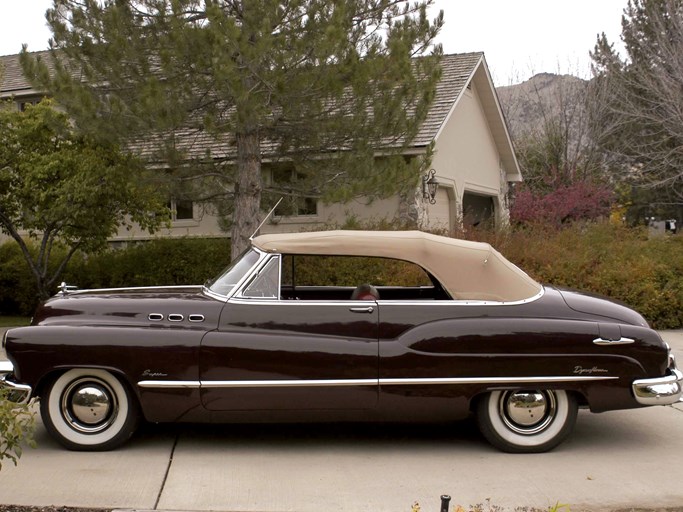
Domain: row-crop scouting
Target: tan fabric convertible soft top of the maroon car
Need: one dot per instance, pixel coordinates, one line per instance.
(467, 270)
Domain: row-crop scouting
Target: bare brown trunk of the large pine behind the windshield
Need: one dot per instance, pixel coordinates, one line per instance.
(248, 186)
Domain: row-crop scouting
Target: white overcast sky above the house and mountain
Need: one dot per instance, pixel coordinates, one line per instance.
(519, 37)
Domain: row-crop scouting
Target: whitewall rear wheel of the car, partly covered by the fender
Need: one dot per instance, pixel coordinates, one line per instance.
(526, 421)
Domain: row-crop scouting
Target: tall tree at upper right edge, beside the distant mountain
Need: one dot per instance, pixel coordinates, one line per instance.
(637, 99)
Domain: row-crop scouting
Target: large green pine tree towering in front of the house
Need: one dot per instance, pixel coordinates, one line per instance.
(214, 88)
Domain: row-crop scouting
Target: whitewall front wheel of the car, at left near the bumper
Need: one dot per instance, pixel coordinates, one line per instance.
(89, 410)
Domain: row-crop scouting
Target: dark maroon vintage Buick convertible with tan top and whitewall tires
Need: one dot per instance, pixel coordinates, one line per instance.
(334, 326)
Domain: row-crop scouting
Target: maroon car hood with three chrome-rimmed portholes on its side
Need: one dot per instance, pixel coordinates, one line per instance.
(132, 306)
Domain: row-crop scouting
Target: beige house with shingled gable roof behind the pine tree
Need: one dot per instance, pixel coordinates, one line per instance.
(474, 162)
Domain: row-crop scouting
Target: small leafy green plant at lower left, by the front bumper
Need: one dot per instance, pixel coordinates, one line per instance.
(17, 422)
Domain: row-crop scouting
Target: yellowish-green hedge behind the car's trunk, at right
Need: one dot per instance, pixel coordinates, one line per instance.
(616, 261)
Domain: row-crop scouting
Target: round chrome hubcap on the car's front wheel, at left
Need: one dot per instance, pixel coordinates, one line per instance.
(89, 405)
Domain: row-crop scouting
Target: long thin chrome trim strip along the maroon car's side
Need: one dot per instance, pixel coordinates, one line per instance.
(214, 384)
